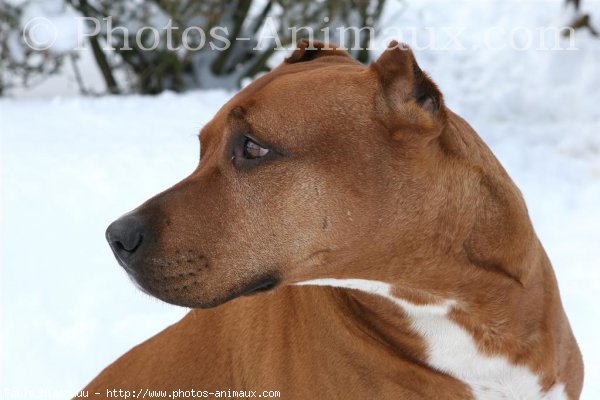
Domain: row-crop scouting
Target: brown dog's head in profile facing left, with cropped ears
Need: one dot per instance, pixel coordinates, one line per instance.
(321, 167)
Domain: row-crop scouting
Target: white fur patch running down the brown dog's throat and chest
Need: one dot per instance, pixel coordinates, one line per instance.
(452, 350)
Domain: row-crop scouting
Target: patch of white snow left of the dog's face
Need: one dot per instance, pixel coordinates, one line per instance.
(70, 167)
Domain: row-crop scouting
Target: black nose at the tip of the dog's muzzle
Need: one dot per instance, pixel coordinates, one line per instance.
(125, 236)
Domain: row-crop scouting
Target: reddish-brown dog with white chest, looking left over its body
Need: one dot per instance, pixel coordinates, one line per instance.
(398, 256)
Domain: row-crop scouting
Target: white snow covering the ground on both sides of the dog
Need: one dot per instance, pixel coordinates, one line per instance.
(69, 166)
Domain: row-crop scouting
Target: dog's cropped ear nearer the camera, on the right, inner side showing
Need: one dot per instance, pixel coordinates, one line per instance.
(403, 80)
